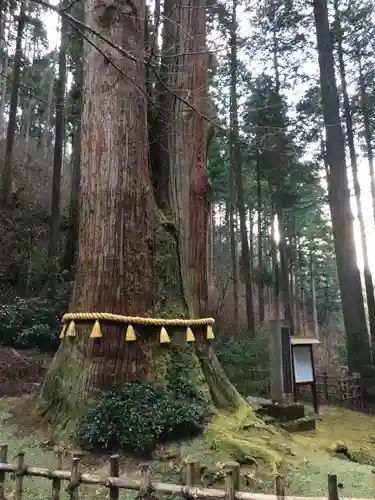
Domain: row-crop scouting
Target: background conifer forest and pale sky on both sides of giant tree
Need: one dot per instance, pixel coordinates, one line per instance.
(271, 246)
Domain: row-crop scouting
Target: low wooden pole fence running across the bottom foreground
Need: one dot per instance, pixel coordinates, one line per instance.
(144, 487)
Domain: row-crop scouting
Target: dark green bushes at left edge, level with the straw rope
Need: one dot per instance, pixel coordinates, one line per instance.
(31, 323)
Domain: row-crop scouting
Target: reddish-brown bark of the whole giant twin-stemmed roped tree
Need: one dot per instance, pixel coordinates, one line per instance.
(134, 257)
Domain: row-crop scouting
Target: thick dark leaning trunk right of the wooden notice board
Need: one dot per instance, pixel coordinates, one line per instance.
(358, 348)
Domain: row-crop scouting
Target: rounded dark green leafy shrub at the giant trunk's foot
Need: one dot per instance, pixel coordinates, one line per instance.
(137, 415)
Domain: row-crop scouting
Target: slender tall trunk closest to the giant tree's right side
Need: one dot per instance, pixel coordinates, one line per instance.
(236, 165)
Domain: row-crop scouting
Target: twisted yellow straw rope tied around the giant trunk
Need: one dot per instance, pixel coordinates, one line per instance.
(137, 320)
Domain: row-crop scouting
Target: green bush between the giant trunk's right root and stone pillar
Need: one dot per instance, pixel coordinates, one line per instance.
(246, 362)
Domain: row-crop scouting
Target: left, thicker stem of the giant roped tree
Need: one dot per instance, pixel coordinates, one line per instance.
(114, 265)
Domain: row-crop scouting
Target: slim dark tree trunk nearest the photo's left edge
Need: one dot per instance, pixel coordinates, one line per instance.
(7, 177)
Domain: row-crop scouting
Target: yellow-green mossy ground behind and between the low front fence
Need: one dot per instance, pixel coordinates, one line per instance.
(305, 459)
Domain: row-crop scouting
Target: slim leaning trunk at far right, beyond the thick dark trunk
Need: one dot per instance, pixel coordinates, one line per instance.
(369, 286)
